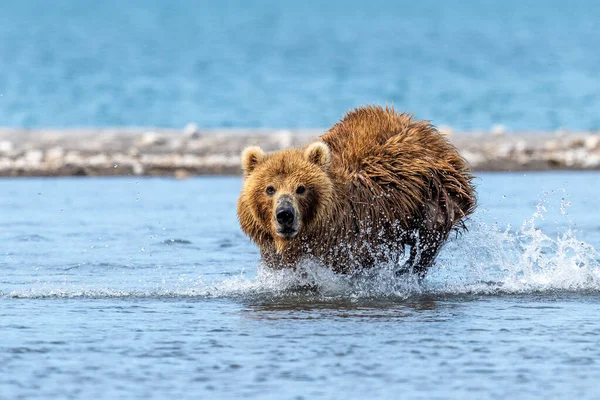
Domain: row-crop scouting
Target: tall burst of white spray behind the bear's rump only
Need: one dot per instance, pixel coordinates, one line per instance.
(528, 260)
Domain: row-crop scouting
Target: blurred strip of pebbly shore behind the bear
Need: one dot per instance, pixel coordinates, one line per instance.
(188, 152)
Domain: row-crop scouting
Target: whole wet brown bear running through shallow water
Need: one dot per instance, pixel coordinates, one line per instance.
(355, 197)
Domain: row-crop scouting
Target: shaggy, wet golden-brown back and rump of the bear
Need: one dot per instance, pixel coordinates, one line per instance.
(392, 165)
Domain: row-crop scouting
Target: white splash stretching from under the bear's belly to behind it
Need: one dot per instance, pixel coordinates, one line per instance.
(487, 259)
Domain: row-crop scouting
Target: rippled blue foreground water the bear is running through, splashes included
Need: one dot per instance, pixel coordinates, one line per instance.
(147, 289)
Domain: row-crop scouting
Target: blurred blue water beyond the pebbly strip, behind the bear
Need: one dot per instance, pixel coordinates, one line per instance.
(529, 65)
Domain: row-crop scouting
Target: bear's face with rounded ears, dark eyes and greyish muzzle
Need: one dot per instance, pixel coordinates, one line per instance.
(285, 192)
